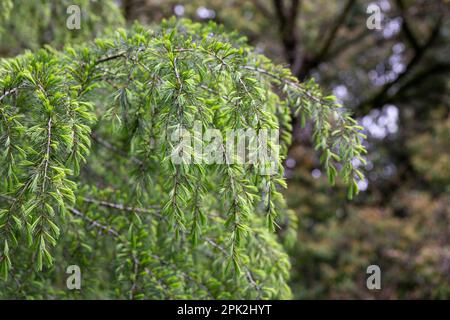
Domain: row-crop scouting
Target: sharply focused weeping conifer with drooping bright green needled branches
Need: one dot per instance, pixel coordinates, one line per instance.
(87, 176)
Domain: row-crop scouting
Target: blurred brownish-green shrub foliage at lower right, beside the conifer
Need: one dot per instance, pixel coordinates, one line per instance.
(407, 238)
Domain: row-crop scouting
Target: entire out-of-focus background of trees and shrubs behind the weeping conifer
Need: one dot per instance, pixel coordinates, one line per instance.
(395, 79)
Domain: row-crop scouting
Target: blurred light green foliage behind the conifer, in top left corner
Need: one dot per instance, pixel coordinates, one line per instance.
(31, 24)
